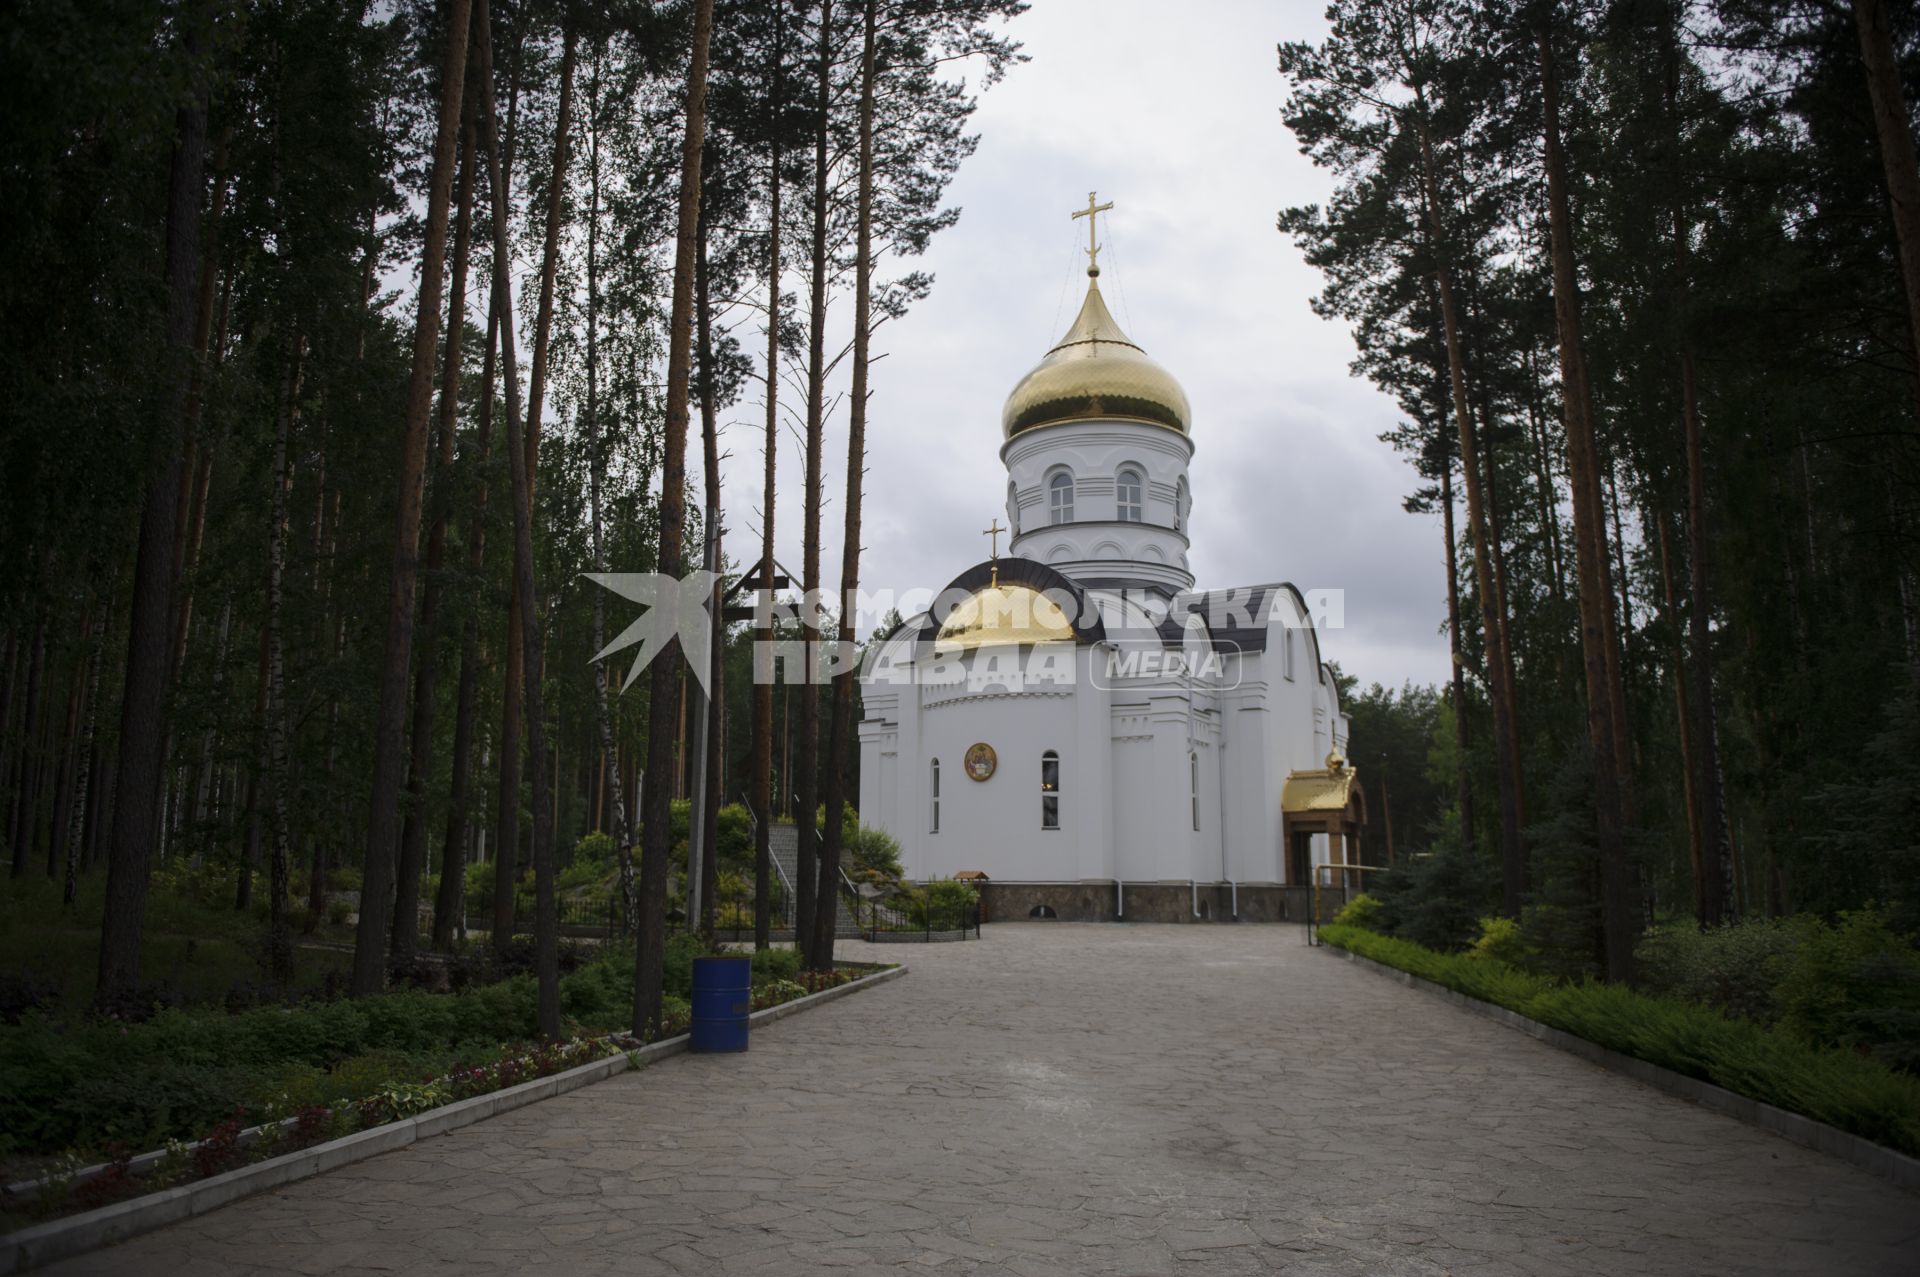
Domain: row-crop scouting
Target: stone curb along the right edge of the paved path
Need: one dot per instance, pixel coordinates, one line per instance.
(1806, 1132)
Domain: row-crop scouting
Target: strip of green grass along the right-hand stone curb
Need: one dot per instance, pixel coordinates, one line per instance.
(1846, 1090)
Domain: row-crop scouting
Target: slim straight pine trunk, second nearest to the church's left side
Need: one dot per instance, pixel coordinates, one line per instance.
(807, 761)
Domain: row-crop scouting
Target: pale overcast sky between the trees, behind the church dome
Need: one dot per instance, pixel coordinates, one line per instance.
(1172, 112)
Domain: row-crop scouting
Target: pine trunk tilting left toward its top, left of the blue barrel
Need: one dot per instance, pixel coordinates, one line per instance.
(546, 930)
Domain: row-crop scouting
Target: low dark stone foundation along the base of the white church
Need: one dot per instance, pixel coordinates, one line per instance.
(1151, 902)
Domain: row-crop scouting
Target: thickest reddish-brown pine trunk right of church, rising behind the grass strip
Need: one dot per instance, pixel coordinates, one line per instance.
(1591, 552)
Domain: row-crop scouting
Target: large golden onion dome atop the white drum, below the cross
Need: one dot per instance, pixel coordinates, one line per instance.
(1095, 373)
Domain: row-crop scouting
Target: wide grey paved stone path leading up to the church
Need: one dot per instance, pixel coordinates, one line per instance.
(1088, 1099)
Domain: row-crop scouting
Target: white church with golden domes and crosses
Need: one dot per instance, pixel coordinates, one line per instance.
(1076, 725)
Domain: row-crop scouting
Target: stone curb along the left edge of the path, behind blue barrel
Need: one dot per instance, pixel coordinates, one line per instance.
(59, 1240)
